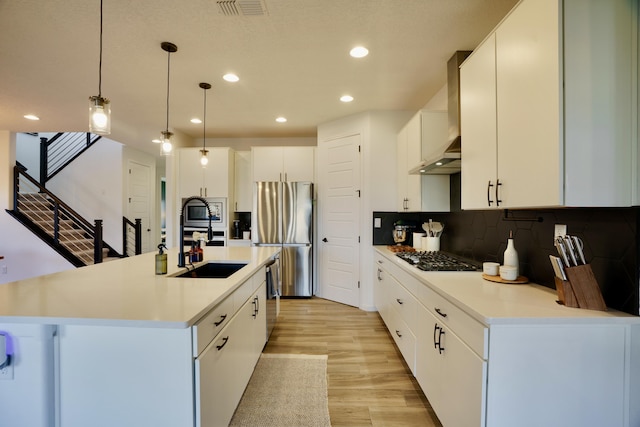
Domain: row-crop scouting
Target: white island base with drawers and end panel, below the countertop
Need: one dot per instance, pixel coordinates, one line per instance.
(163, 376)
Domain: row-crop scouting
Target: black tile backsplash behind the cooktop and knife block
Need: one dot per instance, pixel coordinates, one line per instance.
(610, 238)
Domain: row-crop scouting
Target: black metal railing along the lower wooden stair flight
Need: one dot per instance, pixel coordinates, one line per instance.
(27, 189)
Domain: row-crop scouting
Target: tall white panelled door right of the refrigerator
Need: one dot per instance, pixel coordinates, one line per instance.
(339, 228)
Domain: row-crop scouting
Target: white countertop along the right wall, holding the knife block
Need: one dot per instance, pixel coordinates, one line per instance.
(498, 303)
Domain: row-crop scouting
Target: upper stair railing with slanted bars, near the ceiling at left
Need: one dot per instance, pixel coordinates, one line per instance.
(60, 150)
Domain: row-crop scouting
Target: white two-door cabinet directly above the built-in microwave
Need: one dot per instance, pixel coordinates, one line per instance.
(216, 180)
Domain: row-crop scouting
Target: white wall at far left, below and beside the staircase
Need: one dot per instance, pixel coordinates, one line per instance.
(24, 254)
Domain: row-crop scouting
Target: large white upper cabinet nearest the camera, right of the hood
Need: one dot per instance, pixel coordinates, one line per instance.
(546, 108)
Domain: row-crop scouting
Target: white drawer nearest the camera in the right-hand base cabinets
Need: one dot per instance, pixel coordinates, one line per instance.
(472, 332)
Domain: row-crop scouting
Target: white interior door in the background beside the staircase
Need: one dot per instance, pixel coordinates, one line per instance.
(139, 205)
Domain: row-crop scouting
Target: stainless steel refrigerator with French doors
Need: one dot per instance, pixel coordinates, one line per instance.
(283, 216)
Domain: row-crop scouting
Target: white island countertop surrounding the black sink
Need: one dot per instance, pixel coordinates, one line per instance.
(127, 292)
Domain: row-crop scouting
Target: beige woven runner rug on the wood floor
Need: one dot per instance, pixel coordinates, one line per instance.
(285, 390)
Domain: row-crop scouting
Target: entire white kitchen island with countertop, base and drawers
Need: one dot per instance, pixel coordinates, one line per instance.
(115, 344)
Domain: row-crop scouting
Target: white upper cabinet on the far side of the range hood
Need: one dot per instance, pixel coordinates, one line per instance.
(419, 193)
